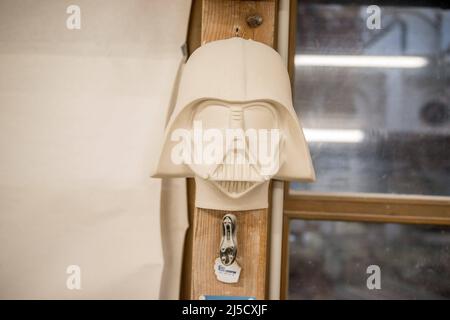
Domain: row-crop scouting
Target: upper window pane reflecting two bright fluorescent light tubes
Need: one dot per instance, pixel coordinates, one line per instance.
(382, 128)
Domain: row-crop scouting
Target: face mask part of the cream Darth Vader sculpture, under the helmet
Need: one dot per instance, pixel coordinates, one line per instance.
(239, 145)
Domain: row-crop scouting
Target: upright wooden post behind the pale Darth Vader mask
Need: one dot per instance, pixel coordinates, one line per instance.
(222, 19)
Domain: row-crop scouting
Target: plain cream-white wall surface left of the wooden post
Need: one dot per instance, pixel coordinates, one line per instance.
(82, 114)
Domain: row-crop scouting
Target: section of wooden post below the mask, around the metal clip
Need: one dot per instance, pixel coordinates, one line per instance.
(252, 249)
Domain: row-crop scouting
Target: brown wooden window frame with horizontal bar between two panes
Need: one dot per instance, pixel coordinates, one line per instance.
(351, 207)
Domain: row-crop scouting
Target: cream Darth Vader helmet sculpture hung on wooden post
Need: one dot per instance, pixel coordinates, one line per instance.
(234, 127)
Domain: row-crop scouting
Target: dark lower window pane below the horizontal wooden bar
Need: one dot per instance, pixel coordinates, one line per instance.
(329, 260)
